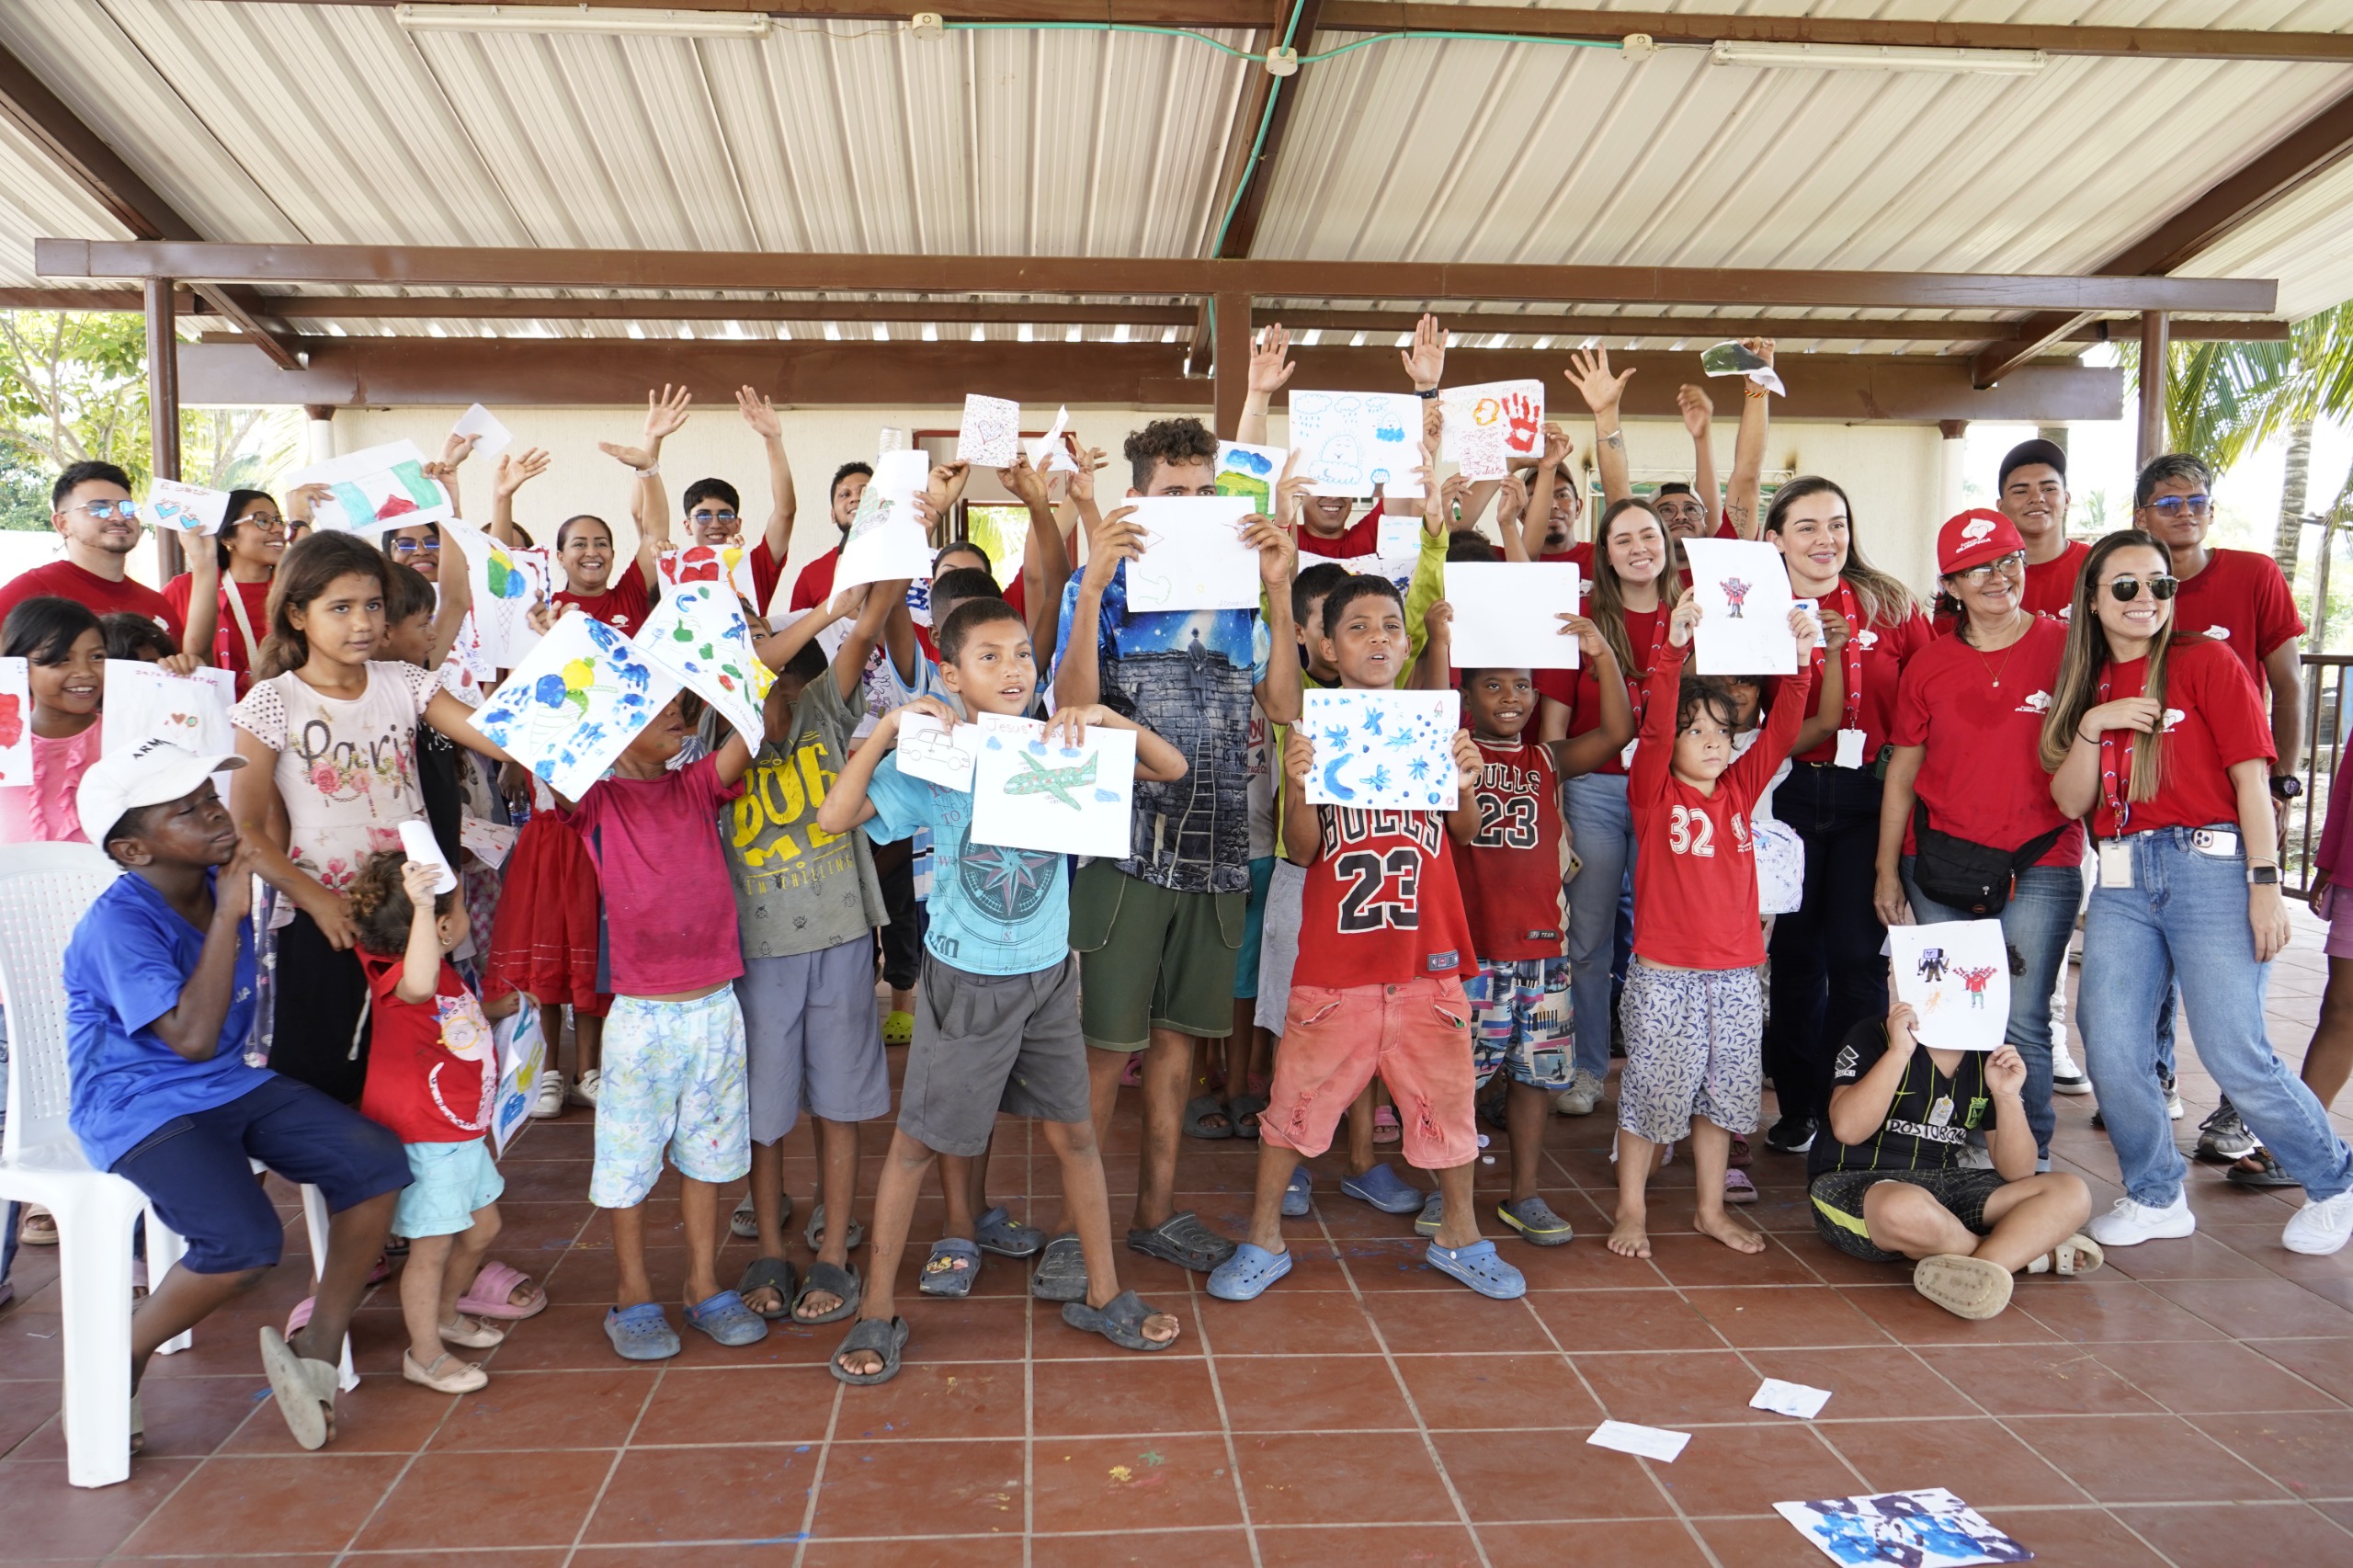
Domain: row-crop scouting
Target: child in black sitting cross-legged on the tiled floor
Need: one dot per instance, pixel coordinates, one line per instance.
(1891, 1181)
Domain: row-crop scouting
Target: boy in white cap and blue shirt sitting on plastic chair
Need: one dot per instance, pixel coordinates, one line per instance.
(159, 1004)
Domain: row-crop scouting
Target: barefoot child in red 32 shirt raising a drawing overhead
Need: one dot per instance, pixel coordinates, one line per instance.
(1695, 1002)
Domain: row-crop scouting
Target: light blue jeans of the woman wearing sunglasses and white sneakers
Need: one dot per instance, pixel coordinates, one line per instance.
(2185, 919)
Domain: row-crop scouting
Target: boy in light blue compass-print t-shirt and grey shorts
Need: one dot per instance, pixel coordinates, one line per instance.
(996, 1014)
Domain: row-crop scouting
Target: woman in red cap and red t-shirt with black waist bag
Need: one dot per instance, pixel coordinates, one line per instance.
(1966, 755)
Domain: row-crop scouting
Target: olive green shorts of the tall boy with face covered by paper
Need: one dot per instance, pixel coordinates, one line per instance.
(1152, 959)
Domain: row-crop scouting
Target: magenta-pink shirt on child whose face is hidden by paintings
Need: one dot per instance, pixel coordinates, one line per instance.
(669, 903)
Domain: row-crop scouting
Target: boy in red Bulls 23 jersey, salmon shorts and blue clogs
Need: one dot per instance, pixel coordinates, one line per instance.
(1380, 981)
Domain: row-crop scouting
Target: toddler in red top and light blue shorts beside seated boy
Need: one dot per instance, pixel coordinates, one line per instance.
(432, 1079)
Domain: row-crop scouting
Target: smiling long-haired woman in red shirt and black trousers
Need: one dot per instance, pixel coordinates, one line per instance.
(1827, 969)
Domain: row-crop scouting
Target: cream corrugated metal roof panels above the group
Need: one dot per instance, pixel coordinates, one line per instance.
(335, 126)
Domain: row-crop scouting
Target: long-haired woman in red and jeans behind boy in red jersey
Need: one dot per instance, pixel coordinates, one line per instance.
(1634, 594)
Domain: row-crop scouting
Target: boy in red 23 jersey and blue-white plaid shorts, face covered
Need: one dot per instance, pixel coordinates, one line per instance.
(1512, 858)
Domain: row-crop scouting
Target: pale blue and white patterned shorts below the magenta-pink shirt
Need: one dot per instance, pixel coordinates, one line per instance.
(674, 1082)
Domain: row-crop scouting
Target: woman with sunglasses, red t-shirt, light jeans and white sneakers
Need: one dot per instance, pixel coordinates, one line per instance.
(2166, 750)
